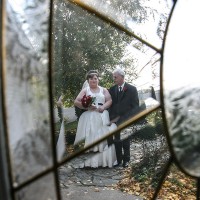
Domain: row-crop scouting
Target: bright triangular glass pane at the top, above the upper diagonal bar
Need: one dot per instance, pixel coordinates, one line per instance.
(145, 18)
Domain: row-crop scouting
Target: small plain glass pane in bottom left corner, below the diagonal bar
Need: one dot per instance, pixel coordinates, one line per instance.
(43, 189)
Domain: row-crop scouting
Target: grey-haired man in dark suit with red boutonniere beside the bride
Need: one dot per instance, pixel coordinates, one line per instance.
(125, 102)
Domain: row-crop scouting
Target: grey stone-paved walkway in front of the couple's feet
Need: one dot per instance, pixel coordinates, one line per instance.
(90, 184)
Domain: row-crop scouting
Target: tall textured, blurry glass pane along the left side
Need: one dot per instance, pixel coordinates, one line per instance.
(27, 100)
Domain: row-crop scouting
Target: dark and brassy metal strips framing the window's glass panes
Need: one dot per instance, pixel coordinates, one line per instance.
(7, 190)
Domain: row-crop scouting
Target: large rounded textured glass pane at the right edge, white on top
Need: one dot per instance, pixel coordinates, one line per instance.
(182, 85)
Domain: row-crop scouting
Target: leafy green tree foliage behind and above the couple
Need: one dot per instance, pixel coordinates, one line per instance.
(83, 42)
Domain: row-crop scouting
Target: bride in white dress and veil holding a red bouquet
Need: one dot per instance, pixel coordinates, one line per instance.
(93, 123)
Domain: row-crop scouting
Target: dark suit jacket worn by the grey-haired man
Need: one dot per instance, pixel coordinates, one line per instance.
(125, 106)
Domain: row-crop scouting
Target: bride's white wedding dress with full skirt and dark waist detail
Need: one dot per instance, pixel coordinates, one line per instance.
(91, 127)
